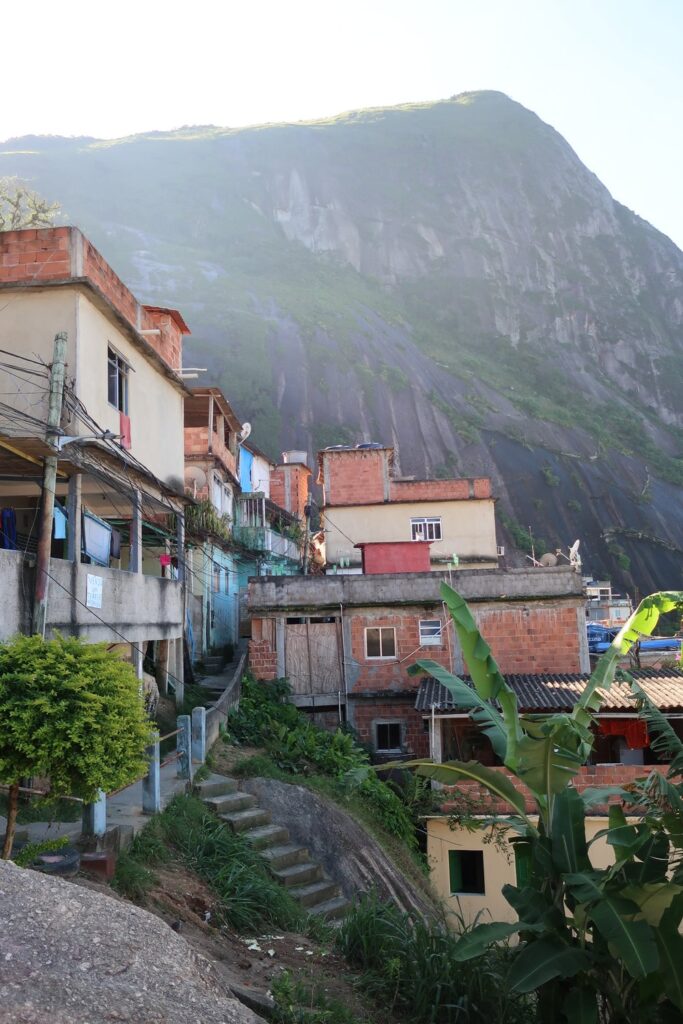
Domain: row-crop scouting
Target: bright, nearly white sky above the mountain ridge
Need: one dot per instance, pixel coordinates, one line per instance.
(607, 74)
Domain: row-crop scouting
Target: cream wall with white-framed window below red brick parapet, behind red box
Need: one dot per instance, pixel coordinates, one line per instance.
(468, 528)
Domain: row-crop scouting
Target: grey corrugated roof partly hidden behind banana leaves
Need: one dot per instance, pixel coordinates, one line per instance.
(550, 693)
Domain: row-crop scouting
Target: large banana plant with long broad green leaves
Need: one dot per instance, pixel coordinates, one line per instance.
(596, 945)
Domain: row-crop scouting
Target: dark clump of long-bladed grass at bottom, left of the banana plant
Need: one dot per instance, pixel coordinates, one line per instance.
(413, 968)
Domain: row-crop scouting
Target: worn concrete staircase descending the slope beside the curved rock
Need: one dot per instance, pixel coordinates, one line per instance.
(288, 863)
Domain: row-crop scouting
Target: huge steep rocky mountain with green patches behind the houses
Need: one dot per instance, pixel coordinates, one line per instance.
(446, 278)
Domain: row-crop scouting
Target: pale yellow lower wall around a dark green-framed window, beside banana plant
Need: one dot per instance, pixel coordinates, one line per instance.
(498, 872)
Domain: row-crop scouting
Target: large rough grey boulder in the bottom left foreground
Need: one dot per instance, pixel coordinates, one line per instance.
(74, 956)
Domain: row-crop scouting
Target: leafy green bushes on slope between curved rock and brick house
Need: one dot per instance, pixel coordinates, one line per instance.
(297, 747)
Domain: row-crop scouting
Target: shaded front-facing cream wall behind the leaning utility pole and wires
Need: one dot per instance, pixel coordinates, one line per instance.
(29, 322)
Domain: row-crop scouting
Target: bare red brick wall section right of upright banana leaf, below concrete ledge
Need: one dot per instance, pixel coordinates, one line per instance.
(531, 638)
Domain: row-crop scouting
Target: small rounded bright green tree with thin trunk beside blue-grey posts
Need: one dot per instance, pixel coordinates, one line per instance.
(71, 711)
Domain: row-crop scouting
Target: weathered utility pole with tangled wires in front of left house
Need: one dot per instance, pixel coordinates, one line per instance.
(58, 374)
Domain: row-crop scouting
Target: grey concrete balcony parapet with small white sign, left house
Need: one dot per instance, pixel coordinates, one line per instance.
(91, 602)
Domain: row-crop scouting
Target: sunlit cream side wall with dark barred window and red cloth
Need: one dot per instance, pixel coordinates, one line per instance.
(155, 406)
